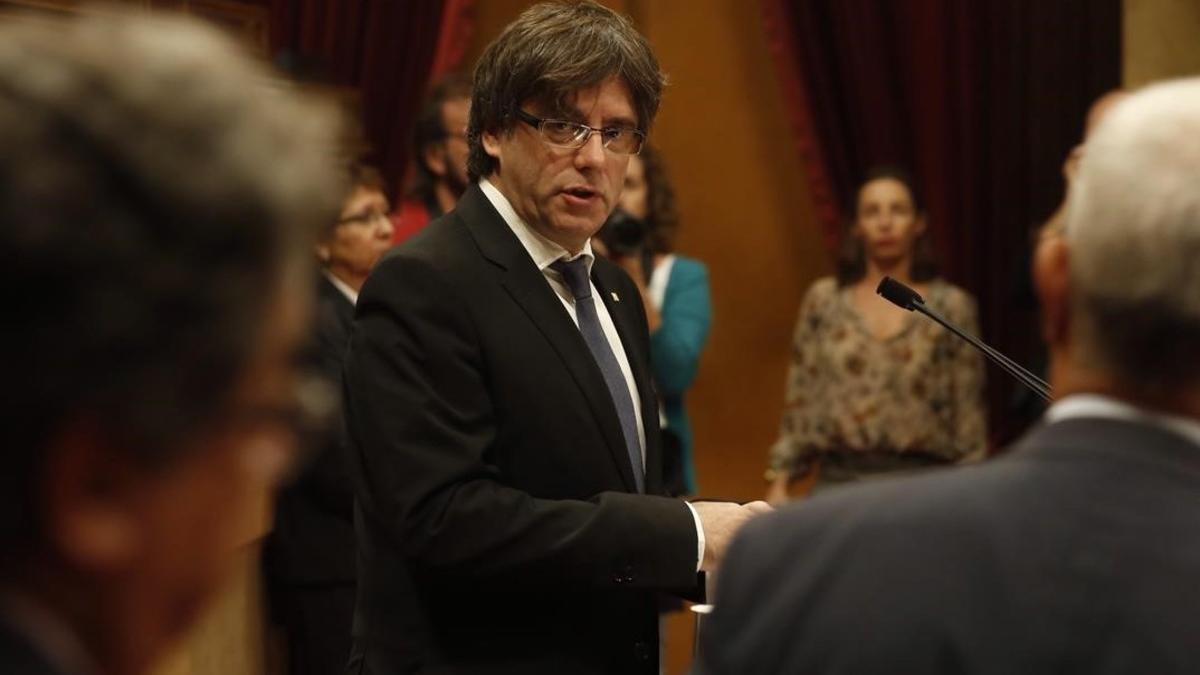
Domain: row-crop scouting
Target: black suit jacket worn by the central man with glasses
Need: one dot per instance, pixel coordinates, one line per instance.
(496, 528)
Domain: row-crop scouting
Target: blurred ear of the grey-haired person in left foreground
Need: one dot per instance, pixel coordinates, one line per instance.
(89, 500)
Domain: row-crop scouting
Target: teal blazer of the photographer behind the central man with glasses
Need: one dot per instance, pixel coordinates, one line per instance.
(676, 348)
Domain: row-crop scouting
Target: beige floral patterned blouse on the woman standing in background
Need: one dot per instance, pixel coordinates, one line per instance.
(848, 391)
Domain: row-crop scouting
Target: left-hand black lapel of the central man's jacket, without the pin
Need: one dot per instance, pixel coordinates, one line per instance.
(529, 289)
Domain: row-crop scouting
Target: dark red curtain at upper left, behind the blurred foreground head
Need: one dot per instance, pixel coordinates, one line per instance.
(387, 51)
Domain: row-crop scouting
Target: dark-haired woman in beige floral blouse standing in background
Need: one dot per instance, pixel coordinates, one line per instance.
(873, 389)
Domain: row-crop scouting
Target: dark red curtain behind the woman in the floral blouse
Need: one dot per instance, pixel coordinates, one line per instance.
(981, 99)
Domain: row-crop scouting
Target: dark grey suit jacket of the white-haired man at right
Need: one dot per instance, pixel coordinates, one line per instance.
(1077, 553)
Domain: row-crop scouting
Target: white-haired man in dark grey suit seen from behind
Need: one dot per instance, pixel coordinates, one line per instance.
(1079, 551)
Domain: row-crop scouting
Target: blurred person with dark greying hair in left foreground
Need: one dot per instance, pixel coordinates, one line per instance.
(157, 213)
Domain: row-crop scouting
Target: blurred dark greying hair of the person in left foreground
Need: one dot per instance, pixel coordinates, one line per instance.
(154, 192)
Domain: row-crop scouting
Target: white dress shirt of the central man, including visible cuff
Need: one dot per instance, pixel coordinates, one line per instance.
(545, 253)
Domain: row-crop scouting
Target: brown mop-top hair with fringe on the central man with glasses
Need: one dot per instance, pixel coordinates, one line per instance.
(548, 55)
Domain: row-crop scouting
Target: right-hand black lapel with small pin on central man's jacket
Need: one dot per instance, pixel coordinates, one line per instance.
(622, 310)
